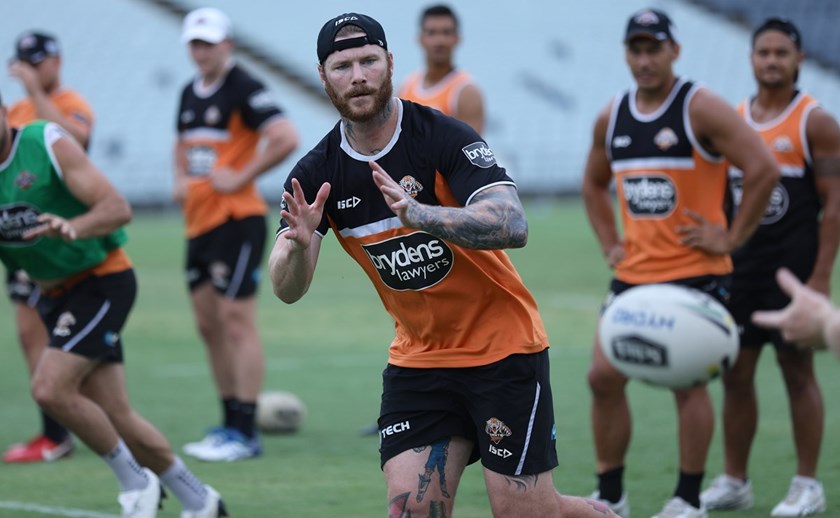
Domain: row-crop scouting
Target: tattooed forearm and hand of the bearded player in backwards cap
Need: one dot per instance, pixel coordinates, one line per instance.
(493, 220)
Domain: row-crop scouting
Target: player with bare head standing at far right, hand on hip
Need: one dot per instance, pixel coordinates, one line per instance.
(800, 231)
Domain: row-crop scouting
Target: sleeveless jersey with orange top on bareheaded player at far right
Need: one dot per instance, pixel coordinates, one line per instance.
(789, 231)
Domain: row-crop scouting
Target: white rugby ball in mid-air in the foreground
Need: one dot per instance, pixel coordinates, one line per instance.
(668, 335)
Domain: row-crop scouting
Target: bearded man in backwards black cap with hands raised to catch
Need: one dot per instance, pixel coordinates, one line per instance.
(468, 371)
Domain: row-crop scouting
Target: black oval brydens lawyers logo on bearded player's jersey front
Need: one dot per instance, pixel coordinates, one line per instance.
(412, 262)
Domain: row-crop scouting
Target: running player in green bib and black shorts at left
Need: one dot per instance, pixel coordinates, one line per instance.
(62, 225)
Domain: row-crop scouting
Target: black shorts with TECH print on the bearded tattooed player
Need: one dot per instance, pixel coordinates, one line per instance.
(505, 408)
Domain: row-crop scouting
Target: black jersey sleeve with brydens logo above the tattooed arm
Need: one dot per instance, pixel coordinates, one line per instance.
(465, 160)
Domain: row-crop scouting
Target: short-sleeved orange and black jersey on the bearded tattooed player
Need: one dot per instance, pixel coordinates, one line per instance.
(453, 307)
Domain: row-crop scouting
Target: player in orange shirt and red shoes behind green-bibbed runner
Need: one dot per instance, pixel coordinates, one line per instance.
(37, 66)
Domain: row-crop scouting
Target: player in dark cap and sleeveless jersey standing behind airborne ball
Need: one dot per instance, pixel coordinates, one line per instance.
(665, 142)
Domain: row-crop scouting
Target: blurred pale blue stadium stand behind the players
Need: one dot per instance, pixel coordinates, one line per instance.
(545, 67)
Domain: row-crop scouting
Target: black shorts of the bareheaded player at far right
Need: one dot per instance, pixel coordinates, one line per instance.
(745, 300)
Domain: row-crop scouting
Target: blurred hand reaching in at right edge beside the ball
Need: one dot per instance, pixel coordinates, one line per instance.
(803, 320)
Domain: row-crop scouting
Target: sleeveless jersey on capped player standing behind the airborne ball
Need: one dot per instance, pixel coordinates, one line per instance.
(661, 169)
